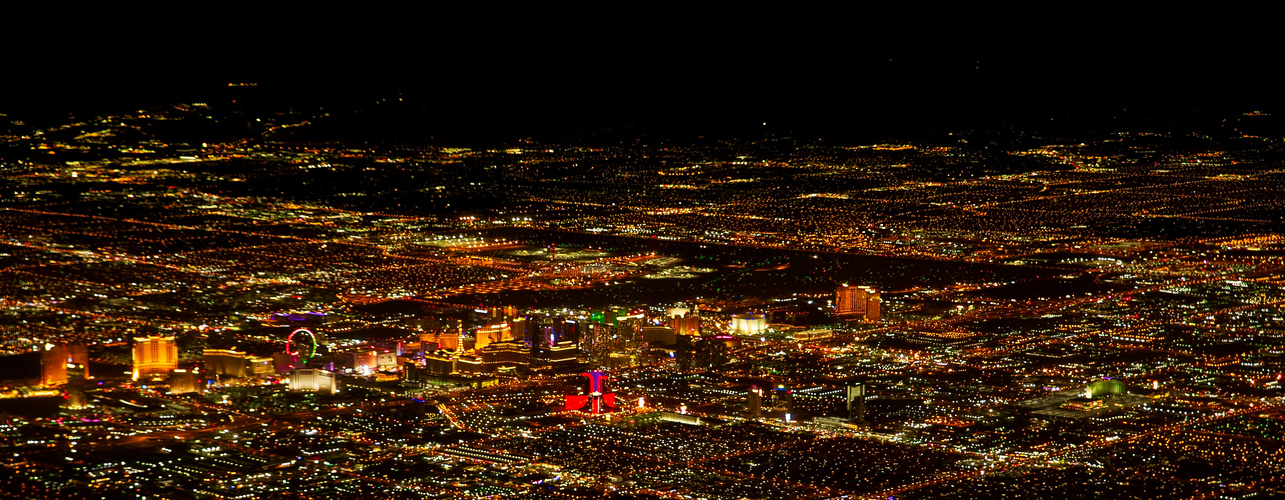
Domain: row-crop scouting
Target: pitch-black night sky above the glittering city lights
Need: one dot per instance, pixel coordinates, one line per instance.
(811, 75)
